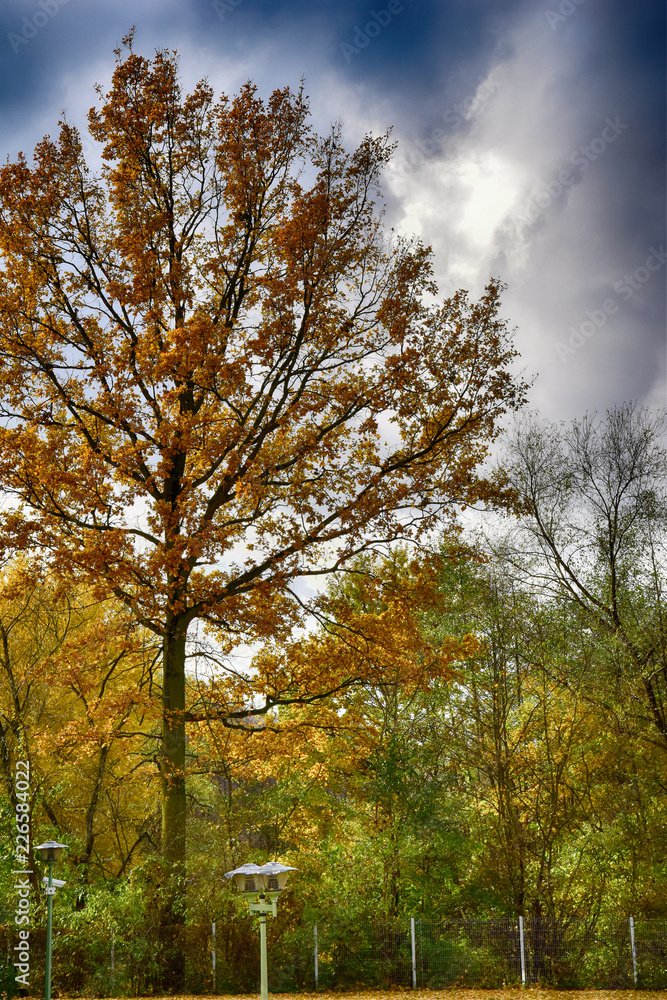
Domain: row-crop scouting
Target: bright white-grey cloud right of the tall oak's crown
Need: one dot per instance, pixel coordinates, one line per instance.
(508, 191)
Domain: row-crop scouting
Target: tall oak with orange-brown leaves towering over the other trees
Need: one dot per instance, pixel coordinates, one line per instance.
(220, 374)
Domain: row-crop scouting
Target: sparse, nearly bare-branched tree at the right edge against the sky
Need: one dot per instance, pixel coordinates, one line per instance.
(594, 536)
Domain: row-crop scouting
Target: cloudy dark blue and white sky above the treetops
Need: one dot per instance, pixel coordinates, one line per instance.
(531, 143)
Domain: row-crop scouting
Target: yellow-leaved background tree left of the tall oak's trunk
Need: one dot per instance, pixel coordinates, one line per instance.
(74, 703)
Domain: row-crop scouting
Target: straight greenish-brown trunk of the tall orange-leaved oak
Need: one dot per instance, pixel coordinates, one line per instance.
(172, 769)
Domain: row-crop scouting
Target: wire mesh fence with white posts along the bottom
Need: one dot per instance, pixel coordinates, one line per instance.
(223, 957)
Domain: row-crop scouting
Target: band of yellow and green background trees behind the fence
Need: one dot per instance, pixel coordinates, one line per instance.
(461, 778)
